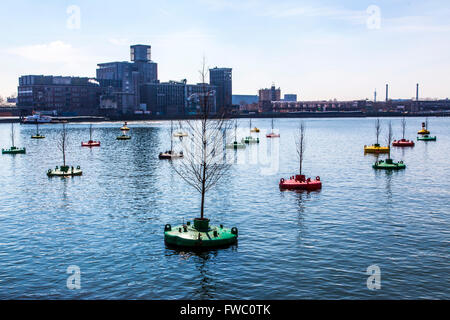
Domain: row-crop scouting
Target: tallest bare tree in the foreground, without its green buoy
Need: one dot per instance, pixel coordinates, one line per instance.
(203, 165)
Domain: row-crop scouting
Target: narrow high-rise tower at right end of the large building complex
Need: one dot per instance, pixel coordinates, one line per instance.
(221, 78)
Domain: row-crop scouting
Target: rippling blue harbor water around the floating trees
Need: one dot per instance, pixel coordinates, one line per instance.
(109, 222)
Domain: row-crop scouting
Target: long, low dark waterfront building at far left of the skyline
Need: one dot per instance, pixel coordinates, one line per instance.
(61, 95)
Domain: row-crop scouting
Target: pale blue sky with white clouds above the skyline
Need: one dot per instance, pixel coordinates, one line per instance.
(319, 50)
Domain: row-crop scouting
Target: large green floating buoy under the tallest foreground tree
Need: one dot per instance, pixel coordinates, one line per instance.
(200, 235)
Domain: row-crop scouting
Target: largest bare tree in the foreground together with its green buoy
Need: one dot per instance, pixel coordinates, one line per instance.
(202, 168)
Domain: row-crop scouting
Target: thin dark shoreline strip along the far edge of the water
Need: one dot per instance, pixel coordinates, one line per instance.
(303, 115)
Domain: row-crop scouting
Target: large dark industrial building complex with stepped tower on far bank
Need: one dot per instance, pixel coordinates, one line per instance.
(124, 87)
